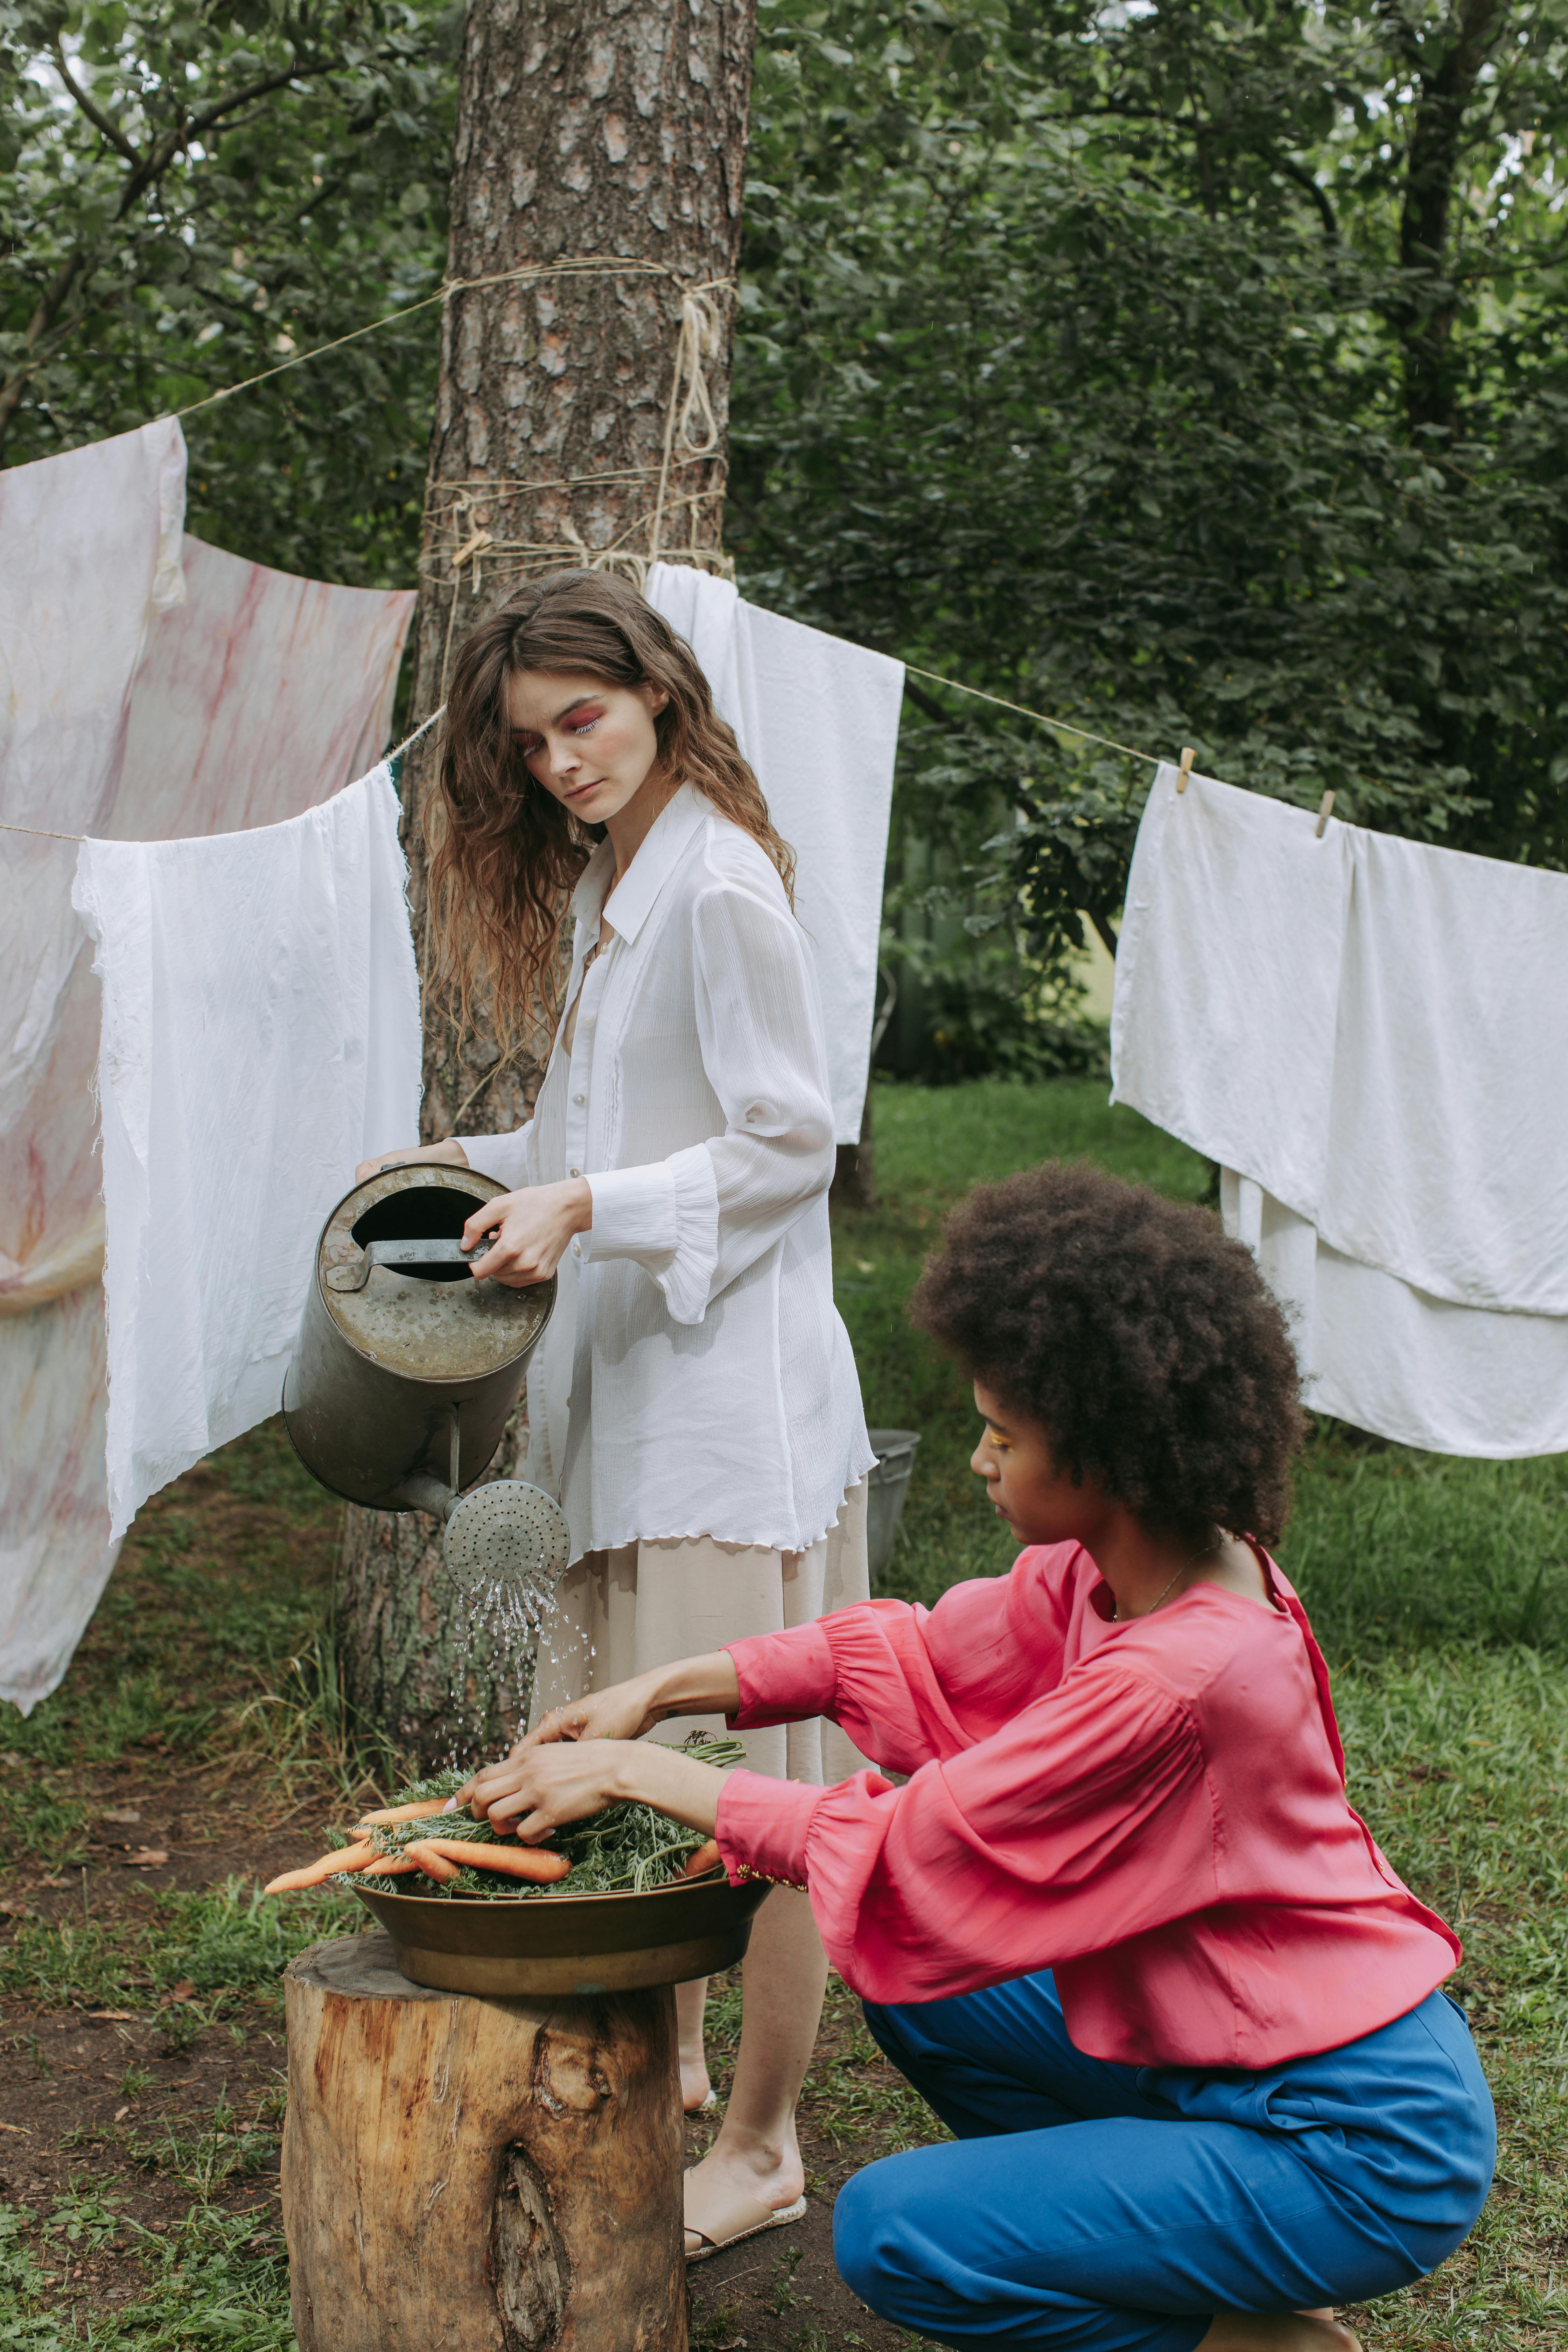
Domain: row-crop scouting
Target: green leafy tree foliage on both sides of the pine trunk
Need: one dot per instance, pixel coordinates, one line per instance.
(1184, 368)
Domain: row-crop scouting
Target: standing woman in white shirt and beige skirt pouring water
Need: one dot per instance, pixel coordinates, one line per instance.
(695, 1403)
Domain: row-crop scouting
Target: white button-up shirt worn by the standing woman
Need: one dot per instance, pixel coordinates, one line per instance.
(695, 1377)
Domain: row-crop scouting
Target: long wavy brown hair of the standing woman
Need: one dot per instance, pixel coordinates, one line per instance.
(504, 853)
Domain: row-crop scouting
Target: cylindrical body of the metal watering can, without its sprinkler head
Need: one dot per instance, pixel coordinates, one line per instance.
(406, 1368)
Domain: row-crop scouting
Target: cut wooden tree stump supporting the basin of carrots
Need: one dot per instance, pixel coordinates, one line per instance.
(467, 2174)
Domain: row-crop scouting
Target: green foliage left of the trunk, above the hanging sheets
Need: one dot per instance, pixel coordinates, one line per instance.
(187, 196)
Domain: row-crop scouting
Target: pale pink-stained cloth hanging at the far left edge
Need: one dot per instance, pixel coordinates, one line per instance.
(88, 561)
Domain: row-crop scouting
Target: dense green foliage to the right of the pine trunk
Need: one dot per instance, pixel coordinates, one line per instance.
(1101, 361)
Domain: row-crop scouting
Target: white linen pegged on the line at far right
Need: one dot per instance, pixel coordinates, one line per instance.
(1372, 1038)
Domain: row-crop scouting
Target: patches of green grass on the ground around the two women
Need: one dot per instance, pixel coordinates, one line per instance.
(1438, 1586)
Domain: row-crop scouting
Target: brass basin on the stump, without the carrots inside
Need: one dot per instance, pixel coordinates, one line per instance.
(572, 1944)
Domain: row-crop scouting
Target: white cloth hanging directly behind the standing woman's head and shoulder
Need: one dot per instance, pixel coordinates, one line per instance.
(817, 719)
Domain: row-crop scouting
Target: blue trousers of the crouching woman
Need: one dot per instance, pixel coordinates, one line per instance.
(1118, 2210)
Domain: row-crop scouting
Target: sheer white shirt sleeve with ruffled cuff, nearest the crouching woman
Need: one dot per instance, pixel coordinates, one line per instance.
(702, 1217)
